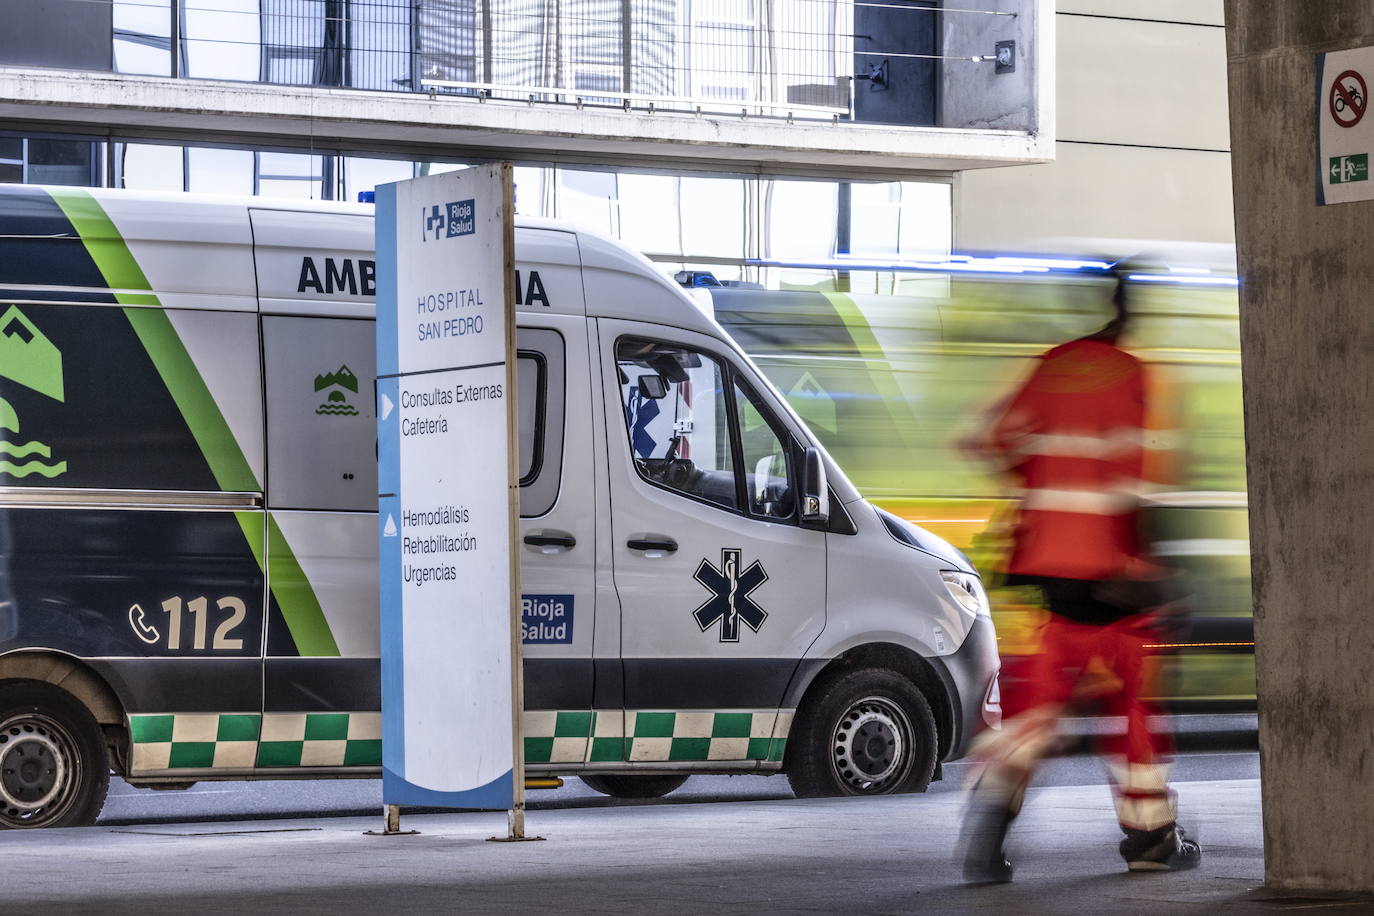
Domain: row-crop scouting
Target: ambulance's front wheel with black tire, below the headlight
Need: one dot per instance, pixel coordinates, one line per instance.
(866, 733)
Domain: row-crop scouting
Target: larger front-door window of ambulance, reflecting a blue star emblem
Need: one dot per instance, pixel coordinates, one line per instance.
(678, 422)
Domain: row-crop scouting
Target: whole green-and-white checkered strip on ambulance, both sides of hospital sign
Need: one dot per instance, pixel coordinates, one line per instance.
(245, 742)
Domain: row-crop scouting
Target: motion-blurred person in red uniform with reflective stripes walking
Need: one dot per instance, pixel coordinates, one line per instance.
(1074, 440)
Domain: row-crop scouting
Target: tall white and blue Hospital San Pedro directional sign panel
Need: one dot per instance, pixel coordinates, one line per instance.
(443, 351)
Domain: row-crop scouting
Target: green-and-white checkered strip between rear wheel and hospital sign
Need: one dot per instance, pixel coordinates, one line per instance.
(248, 741)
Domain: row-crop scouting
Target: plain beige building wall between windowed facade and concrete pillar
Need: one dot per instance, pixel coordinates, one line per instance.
(1142, 142)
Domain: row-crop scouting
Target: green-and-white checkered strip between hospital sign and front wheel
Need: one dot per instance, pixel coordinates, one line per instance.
(655, 737)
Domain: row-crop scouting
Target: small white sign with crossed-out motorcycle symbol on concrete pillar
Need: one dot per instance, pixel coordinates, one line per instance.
(1344, 134)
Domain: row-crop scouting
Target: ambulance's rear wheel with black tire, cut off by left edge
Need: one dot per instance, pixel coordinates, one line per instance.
(54, 770)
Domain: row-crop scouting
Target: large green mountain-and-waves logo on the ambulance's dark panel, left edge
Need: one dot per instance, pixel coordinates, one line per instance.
(28, 358)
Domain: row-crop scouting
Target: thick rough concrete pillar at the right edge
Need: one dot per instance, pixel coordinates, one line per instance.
(1307, 340)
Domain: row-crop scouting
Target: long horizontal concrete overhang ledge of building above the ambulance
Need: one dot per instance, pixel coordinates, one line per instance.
(421, 127)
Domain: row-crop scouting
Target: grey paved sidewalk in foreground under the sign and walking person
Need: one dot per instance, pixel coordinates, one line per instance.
(854, 856)
